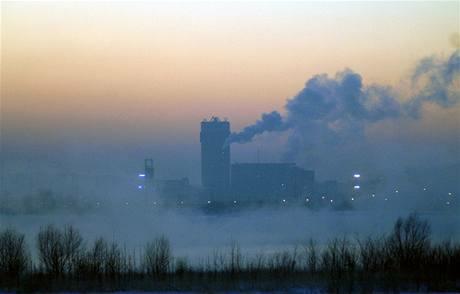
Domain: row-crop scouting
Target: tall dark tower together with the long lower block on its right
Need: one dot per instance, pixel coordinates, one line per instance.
(246, 181)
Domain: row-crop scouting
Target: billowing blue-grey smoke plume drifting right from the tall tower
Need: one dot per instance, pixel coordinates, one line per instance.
(338, 110)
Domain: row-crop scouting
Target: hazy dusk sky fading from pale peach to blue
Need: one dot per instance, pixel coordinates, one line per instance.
(114, 82)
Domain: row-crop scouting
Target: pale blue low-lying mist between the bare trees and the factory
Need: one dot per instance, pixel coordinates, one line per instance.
(195, 233)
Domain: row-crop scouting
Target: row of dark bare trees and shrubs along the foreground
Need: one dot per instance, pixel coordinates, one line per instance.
(405, 255)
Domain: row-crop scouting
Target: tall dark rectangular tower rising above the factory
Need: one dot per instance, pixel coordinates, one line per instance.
(215, 154)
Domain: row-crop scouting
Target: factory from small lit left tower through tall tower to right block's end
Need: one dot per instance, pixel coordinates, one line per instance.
(231, 183)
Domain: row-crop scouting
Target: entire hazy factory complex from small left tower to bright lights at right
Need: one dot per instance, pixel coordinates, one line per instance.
(242, 184)
